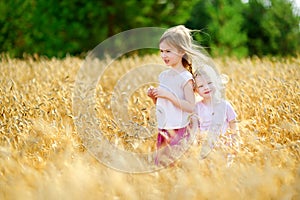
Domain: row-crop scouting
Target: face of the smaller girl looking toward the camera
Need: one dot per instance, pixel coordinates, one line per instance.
(205, 87)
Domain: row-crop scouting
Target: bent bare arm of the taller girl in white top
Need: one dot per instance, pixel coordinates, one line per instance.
(187, 104)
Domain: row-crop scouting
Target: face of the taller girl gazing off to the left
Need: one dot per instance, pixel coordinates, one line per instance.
(170, 55)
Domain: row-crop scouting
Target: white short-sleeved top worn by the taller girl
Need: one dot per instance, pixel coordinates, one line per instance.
(168, 115)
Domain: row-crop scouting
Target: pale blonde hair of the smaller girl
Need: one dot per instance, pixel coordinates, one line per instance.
(219, 80)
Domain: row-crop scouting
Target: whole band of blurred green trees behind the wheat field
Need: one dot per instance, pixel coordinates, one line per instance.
(238, 28)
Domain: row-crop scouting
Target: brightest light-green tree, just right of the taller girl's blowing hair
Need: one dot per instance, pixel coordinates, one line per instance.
(226, 28)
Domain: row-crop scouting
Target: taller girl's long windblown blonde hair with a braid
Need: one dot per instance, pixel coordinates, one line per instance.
(181, 38)
